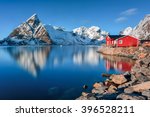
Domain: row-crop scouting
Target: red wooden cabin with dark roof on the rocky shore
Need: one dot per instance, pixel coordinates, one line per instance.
(121, 41)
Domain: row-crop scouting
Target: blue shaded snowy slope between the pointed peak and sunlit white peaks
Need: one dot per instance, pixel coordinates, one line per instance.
(61, 37)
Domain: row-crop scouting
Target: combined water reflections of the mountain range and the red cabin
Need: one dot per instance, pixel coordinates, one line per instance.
(34, 59)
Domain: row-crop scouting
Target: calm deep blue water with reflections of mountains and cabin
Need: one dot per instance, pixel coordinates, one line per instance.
(56, 72)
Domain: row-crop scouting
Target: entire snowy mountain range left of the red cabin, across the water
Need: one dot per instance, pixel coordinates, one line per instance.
(33, 32)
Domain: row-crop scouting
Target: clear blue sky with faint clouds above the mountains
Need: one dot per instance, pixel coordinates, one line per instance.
(110, 15)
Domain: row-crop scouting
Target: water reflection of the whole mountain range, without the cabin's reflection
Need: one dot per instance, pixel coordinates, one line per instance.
(34, 59)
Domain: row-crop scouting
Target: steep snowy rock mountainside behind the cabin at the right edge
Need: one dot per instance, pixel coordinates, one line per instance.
(142, 30)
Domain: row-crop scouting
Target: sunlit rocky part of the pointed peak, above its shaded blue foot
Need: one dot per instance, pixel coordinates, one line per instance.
(32, 28)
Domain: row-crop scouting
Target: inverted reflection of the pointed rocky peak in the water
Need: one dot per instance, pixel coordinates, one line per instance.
(31, 59)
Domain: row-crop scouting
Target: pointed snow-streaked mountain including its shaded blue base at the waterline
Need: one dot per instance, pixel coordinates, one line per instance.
(30, 32)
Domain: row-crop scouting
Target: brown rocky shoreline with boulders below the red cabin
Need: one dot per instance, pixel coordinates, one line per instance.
(133, 85)
